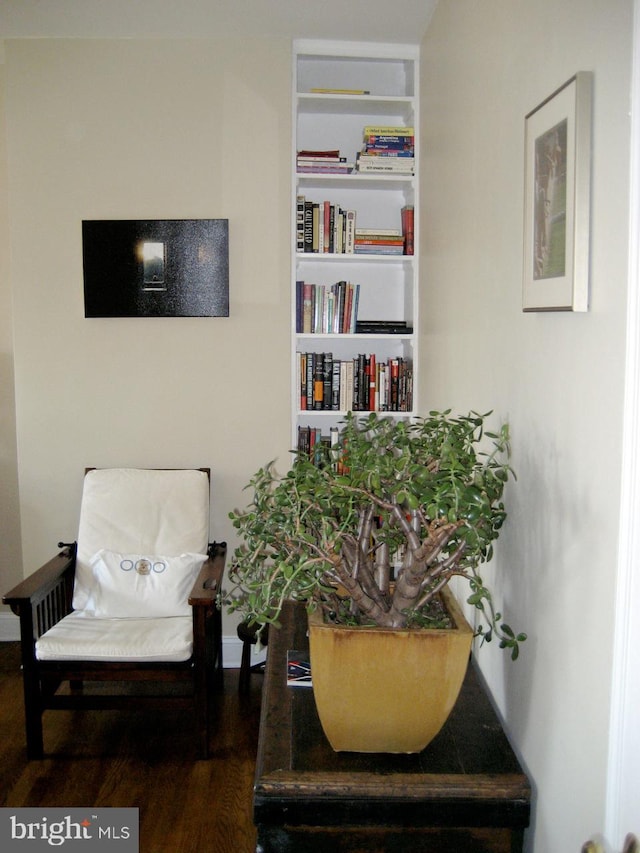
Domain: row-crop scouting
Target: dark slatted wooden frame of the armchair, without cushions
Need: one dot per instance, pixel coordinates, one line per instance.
(45, 597)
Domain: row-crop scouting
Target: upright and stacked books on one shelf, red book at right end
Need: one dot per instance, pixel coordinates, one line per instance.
(326, 228)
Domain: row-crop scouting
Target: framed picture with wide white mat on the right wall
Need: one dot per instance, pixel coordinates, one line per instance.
(557, 199)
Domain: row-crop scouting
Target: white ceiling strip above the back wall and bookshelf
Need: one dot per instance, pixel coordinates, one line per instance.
(399, 21)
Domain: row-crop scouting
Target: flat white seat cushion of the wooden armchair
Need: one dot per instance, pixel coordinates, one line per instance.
(82, 637)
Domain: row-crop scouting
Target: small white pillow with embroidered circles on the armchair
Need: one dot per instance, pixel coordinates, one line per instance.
(129, 585)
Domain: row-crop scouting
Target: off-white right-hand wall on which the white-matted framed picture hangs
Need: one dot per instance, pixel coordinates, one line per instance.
(557, 378)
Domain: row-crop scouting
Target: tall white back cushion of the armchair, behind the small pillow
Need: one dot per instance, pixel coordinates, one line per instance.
(139, 511)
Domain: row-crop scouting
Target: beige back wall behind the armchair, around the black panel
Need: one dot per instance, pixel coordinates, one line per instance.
(137, 129)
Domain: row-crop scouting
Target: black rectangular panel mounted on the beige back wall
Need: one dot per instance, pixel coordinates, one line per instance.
(156, 268)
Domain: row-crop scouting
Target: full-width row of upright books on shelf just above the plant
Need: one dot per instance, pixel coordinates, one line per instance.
(364, 383)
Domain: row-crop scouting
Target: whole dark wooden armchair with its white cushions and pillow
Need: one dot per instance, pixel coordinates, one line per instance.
(133, 601)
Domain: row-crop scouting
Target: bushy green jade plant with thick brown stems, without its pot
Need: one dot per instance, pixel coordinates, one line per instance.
(373, 527)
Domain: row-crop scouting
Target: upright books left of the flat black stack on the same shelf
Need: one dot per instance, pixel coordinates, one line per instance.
(327, 309)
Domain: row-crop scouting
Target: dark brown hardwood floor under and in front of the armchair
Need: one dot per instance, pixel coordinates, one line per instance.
(110, 758)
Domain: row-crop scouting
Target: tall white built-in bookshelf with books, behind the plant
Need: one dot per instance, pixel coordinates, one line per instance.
(355, 209)
